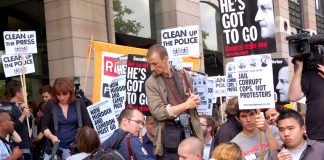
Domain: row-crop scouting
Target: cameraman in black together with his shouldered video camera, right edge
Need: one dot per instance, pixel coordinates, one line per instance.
(308, 80)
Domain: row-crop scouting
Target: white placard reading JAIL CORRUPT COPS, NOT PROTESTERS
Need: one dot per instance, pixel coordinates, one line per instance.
(255, 84)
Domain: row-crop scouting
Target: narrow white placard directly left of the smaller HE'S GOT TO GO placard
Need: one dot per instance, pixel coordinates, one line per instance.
(118, 94)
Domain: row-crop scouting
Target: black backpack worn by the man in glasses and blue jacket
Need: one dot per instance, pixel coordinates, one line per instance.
(112, 152)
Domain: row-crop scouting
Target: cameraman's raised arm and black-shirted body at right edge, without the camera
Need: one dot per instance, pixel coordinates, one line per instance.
(309, 83)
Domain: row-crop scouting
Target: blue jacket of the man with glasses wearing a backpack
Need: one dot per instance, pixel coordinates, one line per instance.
(138, 150)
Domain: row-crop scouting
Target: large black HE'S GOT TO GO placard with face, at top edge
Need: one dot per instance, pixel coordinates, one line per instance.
(248, 27)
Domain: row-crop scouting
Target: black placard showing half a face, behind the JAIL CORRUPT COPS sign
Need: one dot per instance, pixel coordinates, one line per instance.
(281, 79)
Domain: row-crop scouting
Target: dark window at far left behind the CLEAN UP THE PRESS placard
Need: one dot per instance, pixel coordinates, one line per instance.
(26, 16)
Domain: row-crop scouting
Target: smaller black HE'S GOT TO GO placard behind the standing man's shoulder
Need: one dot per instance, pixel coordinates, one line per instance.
(136, 74)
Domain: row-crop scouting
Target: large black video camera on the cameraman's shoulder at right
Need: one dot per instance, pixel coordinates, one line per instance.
(308, 48)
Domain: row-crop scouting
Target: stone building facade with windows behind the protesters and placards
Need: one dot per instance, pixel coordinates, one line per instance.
(64, 29)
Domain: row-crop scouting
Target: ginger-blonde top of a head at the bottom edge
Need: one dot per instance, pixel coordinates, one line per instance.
(228, 151)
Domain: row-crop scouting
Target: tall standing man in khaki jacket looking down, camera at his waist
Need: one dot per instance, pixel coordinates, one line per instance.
(171, 103)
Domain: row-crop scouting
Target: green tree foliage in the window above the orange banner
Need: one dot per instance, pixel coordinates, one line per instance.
(123, 25)
